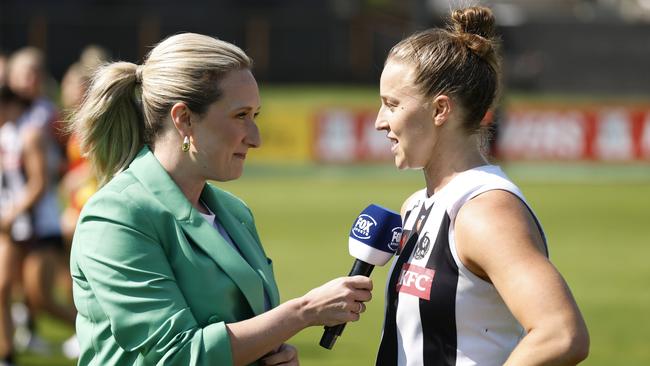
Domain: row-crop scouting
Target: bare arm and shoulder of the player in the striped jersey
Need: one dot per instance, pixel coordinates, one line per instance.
(498, 239)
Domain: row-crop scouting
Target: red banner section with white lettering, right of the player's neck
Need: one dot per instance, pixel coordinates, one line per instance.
(608, 134)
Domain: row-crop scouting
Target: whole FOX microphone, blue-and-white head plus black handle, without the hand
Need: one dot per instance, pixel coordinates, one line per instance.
(374, 237)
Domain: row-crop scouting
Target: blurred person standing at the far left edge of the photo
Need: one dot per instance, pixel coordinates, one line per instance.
(26, 72)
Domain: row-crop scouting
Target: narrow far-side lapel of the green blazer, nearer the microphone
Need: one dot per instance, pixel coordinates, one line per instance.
(244, 239)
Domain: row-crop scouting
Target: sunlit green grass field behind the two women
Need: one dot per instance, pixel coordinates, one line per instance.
(596, 219)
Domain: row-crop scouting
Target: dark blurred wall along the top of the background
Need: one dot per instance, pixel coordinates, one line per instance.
(330, 41)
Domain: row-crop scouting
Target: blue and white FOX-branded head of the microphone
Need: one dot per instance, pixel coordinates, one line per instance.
(375, 235)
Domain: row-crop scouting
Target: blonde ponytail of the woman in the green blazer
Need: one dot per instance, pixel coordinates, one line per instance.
(109, 122)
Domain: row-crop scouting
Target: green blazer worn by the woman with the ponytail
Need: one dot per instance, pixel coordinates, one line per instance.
(154, 283)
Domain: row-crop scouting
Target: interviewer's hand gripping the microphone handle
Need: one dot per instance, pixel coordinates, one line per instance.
(338, 301)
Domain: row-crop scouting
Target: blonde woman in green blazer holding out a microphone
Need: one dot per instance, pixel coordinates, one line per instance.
(167, 268)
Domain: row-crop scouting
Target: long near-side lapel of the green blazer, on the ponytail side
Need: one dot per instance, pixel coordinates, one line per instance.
(155, 179)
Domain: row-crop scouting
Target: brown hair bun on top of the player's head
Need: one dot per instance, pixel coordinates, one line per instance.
(474, 26)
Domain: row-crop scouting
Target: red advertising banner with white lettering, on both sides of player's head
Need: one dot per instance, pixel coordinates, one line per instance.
(525, 133)
